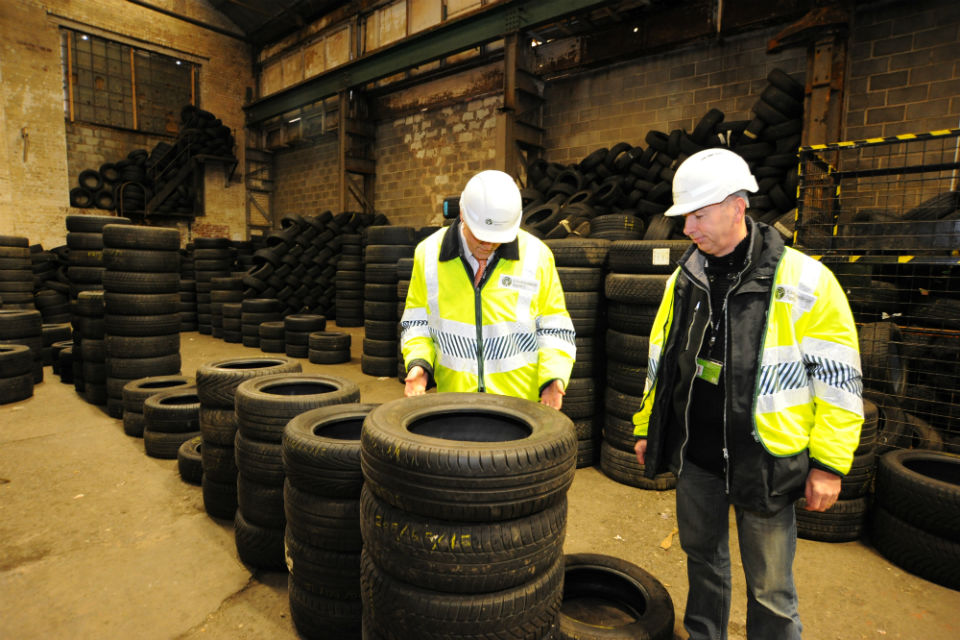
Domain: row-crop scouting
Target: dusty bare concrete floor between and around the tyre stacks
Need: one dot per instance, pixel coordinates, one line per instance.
(97, 540)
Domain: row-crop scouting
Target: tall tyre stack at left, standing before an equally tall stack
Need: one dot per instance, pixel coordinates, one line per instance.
(141, 302)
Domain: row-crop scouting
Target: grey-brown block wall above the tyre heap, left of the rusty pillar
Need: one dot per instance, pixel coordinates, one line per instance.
(660, 92)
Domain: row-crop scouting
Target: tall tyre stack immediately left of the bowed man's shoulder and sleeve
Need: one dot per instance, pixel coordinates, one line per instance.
(385, 246)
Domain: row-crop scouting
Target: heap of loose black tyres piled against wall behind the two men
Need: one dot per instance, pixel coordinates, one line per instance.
(561, 200)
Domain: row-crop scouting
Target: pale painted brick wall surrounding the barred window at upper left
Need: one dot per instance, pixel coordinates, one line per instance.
(34, 170)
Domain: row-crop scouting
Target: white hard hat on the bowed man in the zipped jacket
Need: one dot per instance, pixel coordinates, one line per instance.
(491, 207)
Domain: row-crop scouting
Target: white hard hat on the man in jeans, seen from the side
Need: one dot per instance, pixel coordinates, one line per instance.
(707, 177)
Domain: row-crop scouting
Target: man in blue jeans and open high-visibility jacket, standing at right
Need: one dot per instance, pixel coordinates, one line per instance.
(753, 397)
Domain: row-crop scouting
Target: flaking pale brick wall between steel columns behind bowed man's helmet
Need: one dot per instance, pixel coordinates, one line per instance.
(423, 158)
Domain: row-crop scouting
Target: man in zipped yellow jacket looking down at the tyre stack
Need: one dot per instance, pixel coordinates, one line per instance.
(485, 310)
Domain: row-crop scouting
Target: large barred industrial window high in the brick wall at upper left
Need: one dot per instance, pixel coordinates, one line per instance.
(115, 84)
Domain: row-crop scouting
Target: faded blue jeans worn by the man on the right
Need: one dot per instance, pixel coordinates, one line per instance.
(767, 547)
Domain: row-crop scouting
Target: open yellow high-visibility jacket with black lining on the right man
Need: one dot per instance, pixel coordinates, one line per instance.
(791, 374)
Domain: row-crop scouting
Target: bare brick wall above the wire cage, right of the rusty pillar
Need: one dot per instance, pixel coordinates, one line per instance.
(904, 69)
